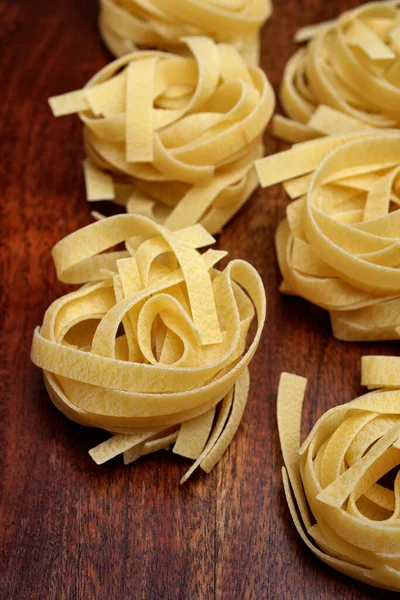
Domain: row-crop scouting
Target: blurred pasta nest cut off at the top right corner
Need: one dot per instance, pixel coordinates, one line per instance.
(346, 77)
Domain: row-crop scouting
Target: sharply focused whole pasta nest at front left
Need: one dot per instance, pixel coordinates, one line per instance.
(153, 347)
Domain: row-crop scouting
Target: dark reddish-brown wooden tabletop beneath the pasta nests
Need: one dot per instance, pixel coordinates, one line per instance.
(68, 528)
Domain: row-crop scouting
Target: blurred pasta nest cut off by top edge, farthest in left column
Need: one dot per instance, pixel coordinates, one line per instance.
(128, 24)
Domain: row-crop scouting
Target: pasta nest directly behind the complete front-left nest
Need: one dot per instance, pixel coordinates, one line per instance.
(174, 138)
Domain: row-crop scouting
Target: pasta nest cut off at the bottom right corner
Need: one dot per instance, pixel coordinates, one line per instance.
(342, 510)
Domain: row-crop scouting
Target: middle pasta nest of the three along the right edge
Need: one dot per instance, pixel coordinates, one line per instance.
(339, 246)
